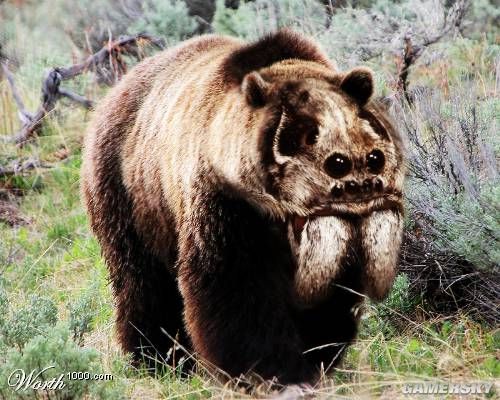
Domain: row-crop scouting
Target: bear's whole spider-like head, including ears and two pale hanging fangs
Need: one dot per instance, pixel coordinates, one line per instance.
(331, 156)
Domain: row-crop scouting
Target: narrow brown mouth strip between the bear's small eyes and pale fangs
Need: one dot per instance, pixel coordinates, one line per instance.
(347, 209)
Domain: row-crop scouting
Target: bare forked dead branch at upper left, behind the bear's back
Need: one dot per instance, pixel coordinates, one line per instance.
(108, 58)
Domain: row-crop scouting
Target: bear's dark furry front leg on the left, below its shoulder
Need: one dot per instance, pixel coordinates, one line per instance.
(235, 275)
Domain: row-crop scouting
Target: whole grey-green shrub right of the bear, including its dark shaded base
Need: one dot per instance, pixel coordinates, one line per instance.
(453, 197)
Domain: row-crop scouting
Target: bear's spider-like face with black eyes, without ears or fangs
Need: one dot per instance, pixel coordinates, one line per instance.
(332, 158)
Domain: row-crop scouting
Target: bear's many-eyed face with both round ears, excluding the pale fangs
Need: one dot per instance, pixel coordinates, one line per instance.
(331, 153)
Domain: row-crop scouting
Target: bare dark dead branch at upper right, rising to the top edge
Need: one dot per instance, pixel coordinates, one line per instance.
(412, 50)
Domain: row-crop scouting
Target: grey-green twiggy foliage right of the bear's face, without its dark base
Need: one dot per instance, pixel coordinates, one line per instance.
(453, 189)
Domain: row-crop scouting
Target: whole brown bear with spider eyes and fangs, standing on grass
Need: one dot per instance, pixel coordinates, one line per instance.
(247, 196)
